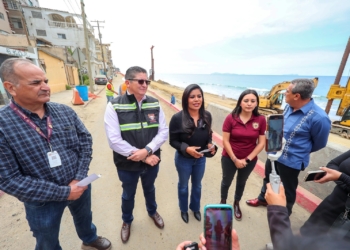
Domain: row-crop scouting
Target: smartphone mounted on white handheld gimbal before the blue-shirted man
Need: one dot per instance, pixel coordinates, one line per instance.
(274, 133)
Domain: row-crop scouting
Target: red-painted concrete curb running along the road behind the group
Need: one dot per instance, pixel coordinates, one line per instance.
(304, 198)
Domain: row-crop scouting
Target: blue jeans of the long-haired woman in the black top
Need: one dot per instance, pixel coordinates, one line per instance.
(186, 168)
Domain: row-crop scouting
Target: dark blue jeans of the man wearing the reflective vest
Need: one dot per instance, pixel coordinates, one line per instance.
(129, 181)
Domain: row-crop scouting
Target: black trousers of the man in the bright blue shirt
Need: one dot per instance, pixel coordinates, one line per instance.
(289, 178)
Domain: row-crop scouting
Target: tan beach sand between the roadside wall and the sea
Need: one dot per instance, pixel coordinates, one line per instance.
(165, 89)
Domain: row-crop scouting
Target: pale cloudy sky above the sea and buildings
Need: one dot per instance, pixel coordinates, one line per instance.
(257, 37)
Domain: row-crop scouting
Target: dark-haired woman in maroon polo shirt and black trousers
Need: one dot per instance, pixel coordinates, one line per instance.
(243, 134)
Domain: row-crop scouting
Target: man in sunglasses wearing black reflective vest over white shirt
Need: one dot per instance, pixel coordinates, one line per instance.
(136, 128)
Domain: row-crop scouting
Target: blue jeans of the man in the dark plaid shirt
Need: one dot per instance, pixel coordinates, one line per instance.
(44, 220)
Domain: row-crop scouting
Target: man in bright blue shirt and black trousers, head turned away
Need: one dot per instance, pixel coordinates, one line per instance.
(306, 129)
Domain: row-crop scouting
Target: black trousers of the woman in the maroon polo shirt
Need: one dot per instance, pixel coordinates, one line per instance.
(228, 172)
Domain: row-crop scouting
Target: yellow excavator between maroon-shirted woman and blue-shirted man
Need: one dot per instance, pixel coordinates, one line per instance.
(271, 102)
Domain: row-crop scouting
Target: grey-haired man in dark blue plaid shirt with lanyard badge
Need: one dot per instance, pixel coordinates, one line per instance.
(45, 150)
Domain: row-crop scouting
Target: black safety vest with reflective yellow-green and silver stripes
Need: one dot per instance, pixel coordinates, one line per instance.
(138, 127)
